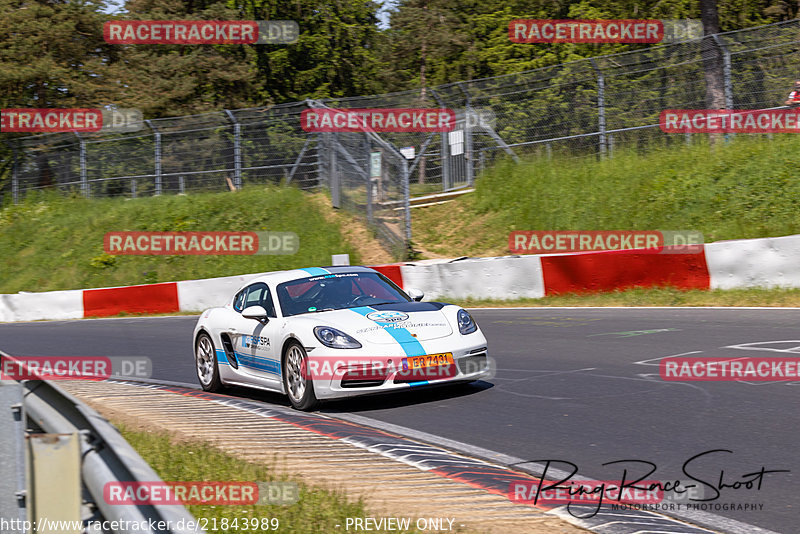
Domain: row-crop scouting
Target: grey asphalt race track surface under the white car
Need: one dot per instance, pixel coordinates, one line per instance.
(576, 385)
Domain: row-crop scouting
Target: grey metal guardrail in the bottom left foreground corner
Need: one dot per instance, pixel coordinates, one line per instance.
(105, 457)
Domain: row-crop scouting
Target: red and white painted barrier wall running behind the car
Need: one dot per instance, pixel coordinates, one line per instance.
(767, 262)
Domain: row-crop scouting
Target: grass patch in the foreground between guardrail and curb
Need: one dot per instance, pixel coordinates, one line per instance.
(317, 510)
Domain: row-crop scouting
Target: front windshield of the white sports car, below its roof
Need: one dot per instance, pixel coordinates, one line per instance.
(337, 291)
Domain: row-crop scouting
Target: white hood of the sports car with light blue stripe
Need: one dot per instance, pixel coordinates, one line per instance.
(391, 323)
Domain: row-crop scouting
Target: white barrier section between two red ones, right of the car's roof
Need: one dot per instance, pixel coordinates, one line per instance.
(481, 278)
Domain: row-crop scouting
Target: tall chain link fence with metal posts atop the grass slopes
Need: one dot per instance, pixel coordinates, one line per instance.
(580, 109)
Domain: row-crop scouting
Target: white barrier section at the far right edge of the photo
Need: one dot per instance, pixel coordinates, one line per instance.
(767, 262)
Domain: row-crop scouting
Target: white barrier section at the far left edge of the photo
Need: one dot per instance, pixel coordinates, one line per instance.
(52, 305)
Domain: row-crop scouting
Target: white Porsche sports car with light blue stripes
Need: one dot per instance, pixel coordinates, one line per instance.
(317, 334)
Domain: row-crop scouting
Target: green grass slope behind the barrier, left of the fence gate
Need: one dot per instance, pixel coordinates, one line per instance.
(50, 242)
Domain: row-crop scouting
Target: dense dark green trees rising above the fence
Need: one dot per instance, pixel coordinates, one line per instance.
(52, 53)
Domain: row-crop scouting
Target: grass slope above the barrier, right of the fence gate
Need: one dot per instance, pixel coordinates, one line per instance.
(747, 188)
